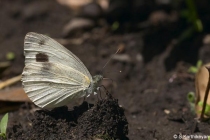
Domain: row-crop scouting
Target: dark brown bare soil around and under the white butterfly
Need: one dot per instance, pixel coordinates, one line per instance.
(153, 82)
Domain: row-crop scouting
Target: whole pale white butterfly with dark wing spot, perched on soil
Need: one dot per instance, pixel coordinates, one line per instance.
(53, 76)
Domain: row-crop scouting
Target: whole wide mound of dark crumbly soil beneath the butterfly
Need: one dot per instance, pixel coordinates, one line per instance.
(104, 120)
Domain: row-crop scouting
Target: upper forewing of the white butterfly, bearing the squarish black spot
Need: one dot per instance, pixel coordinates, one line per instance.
(41, 48)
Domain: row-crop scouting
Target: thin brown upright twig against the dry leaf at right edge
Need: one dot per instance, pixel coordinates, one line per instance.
(206, 96)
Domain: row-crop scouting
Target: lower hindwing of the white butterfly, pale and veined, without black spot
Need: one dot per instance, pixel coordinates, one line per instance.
(50, 85)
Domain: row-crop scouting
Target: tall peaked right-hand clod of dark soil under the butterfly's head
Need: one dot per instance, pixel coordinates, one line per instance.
(105, 120)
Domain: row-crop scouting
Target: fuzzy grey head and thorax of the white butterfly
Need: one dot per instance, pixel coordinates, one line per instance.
(94, 84)
